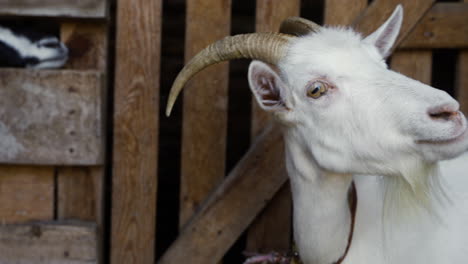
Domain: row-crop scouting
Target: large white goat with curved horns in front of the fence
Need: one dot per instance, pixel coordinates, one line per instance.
(346, 116)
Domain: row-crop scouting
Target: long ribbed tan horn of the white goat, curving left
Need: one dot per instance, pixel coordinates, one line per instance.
(267, 47)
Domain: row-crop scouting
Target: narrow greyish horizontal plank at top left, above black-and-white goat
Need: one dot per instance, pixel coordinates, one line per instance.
(54, 8)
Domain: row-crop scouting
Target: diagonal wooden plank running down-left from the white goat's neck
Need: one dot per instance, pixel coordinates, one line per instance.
(234, 204)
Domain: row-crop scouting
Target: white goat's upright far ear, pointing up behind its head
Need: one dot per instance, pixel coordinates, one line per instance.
(385, 36)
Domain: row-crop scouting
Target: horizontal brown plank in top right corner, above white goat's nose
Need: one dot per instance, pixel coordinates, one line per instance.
(444, 26)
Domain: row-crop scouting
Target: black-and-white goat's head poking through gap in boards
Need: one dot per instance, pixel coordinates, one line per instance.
(20, 49)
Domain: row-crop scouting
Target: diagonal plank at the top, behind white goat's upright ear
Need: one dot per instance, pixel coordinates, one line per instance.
(379, 10)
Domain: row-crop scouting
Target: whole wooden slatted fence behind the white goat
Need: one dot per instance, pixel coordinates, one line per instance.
(60, 207)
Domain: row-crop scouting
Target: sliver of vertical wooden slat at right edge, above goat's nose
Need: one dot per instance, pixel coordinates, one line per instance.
(462, 79)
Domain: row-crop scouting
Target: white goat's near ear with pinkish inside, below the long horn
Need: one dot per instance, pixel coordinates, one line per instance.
(266, 86)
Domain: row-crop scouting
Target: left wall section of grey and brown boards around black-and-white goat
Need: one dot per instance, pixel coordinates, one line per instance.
(51, 192)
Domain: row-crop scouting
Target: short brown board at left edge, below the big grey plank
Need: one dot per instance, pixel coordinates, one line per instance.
(26, 193)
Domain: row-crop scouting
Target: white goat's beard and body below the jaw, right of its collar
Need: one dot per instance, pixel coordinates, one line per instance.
(416, 217)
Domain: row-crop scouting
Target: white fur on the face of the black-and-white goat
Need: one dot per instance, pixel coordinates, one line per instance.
(48, 57)
